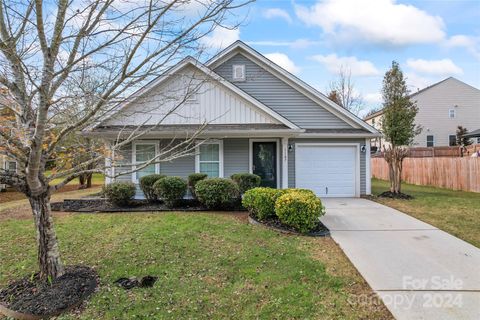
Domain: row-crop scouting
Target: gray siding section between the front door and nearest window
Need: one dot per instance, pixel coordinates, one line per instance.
(235, 156)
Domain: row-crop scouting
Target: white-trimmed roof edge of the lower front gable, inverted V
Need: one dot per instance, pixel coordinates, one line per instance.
(193, 62)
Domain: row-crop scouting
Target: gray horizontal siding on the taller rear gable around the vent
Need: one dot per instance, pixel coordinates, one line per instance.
(280, 96)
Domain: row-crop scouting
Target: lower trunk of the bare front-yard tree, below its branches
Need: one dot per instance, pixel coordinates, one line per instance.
(49, 260)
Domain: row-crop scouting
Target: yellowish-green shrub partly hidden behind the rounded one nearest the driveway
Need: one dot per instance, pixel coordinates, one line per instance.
(260, 202)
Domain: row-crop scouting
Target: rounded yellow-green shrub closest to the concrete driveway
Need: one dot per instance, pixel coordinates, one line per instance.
(299, 210)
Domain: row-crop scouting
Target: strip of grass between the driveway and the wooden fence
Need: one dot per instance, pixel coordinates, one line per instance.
(456, 212)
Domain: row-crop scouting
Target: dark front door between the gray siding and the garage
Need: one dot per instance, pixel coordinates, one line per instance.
(264, 162)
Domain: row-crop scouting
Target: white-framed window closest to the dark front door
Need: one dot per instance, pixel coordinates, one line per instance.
(209, 159)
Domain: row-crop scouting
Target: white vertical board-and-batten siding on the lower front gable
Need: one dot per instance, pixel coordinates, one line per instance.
(212, 103)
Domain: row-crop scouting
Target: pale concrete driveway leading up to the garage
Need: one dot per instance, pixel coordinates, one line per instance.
(419, 271)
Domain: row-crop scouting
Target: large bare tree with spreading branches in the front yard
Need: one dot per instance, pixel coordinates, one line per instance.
(48, 48)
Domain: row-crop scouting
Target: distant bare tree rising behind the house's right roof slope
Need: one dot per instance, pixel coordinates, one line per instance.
(342, 92)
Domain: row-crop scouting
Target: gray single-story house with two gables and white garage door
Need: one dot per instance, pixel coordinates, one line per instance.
(259, 118)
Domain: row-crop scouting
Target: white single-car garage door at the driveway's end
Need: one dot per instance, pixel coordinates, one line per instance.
(330, 171)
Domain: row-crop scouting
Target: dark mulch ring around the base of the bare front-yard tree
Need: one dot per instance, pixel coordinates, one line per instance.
(38, 298)
